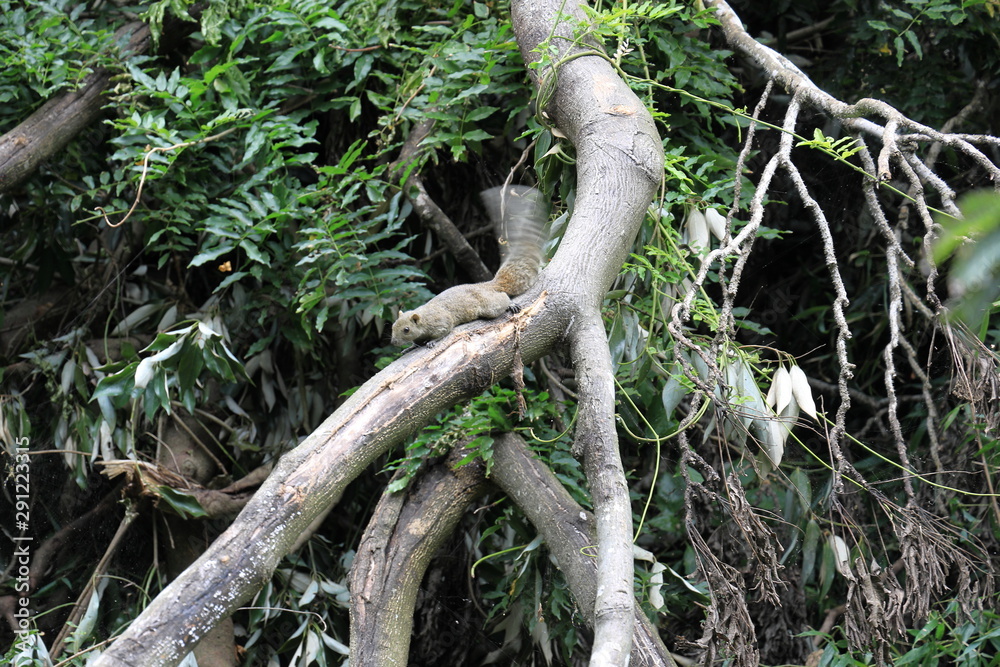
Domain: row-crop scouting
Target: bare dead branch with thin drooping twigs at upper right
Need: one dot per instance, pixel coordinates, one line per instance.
(876, 606)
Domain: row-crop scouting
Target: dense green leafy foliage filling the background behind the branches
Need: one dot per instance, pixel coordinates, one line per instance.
(272, 244)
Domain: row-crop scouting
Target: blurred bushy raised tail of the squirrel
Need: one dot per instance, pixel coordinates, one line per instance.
(520, 216)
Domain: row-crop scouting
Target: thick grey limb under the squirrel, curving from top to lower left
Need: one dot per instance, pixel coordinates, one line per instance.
(620, 163)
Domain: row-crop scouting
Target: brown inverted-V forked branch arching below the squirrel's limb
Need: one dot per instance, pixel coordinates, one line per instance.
(408, 527)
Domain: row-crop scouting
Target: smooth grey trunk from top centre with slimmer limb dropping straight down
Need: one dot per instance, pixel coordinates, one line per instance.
(620, 163)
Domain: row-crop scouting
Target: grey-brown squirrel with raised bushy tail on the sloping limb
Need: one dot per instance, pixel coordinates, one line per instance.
(520, 216)
